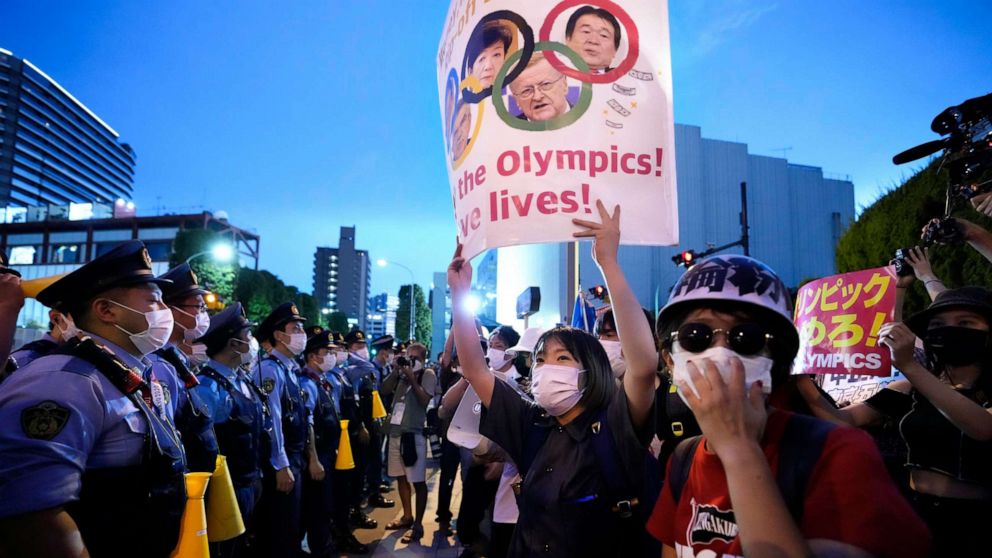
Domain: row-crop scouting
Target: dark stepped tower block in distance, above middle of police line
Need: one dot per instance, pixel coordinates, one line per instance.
(342, 278)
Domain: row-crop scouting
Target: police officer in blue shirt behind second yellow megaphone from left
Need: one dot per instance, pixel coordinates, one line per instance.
(239, 414)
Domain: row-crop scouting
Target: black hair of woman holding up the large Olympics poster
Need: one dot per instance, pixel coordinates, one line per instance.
(599, 383)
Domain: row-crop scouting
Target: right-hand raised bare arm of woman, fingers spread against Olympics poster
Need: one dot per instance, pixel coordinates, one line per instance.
(636, 340)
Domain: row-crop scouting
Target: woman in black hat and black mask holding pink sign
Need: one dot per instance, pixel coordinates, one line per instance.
(944, 415)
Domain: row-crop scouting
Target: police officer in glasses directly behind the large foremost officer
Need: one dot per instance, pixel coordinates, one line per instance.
(185, 299)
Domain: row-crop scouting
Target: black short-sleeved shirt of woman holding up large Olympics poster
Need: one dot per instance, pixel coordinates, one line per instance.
(563, 507)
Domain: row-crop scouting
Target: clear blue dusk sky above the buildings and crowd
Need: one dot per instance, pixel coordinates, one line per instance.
(297, 118)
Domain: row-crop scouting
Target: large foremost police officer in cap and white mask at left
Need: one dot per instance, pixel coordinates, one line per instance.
(88, 458)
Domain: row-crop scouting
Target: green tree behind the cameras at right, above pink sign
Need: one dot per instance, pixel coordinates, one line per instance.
(895, 221)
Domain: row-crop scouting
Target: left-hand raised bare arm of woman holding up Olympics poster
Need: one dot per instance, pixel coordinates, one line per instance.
(470, 356)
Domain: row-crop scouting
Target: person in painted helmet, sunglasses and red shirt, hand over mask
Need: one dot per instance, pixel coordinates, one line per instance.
(798, 486)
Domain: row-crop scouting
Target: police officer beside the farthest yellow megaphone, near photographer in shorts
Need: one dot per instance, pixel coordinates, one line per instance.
(364, 379)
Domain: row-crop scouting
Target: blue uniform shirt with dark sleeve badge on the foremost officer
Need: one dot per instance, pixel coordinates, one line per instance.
(60, 416)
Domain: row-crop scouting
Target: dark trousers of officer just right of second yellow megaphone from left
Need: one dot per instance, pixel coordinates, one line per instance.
(279, 530)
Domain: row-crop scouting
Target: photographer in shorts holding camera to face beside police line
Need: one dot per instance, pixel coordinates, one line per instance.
(413, 387)
